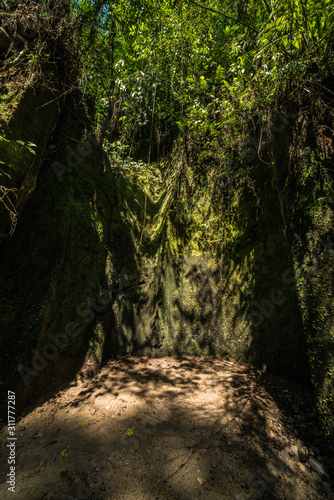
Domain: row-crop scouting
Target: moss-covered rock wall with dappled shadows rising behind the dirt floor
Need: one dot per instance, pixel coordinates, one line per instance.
(148, 260)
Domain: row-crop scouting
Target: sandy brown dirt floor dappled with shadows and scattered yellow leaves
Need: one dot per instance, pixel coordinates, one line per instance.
(166, 428)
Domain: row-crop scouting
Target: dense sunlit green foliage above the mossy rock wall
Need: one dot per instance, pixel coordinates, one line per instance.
(178, 68)
